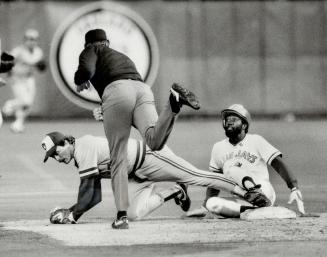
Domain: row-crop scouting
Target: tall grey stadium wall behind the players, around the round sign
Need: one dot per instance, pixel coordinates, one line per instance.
(270, 56)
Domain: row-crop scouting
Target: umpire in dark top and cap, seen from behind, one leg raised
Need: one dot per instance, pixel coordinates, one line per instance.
(126, 101)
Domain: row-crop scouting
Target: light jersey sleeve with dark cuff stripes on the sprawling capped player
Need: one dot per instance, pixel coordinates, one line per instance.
(87, 158)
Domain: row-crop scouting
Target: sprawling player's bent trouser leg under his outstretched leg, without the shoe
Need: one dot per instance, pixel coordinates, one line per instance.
(150, 197)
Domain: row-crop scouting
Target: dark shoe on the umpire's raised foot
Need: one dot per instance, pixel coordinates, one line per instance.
(184, 97)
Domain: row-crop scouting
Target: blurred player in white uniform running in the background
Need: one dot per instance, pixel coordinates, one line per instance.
(28, 59)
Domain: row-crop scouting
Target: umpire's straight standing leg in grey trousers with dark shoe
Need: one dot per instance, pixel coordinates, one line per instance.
(118, 104)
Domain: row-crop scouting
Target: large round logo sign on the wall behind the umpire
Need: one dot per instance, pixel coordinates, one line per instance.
(128, 33)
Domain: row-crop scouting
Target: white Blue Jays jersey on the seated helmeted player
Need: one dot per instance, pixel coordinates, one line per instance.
(253, 154)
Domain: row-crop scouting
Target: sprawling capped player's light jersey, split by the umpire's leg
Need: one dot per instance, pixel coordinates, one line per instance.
(92, 155)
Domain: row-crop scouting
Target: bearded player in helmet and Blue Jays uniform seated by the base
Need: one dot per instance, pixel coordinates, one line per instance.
(244, 158)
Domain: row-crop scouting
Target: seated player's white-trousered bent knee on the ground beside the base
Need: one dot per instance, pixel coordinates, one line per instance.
(223, 207)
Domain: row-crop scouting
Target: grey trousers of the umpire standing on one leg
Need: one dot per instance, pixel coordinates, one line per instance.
(128, 103)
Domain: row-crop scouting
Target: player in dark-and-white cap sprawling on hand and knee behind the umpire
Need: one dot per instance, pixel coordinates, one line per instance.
(92, 158)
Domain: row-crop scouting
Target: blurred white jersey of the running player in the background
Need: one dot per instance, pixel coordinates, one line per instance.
(25, 61)
